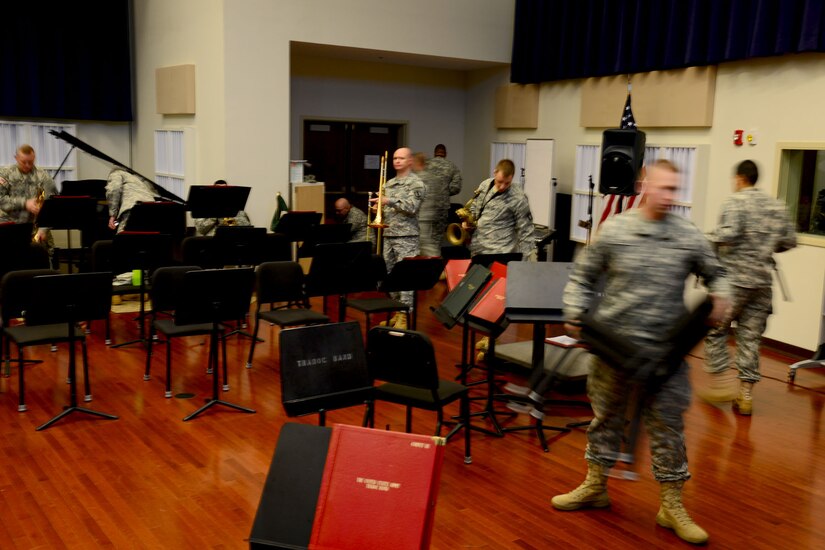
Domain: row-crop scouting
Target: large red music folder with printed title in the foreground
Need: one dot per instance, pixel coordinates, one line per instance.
(378, 491)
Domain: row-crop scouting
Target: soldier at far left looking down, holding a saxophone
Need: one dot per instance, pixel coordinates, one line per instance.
(20, 186)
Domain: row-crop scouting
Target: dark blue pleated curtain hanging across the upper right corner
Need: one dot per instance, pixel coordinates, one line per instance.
(561, 39)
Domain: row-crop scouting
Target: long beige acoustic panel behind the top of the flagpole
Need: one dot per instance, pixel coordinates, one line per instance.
(676, 98)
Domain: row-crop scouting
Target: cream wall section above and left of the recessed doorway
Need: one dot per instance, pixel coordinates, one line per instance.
(258, 33)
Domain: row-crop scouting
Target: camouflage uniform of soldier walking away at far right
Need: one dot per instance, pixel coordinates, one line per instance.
(752, 227)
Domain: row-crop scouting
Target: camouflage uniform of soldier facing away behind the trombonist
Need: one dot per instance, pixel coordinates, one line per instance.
(442, 179)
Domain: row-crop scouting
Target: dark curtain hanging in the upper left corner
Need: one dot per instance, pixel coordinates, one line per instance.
(66, 60)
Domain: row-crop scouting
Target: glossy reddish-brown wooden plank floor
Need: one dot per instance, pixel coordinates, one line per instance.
(150, 480)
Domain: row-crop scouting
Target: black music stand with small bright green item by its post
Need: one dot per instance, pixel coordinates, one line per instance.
(146, 252)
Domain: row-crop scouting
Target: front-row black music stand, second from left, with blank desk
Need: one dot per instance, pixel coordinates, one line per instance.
(213, 296)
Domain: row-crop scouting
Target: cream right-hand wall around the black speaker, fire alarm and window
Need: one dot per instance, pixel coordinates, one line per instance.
(779, 97)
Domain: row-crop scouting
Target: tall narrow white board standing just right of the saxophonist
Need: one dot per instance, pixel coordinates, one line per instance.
(538, 185)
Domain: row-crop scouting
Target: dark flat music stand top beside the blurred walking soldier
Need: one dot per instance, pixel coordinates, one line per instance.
(536, 288)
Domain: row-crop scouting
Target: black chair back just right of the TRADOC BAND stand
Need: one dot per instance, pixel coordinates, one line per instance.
(405, 357)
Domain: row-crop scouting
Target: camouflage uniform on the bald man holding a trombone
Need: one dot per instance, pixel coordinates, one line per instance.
(401, 237)
